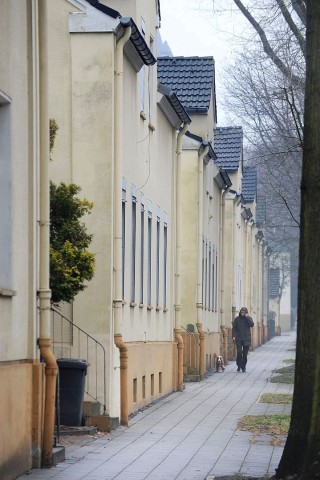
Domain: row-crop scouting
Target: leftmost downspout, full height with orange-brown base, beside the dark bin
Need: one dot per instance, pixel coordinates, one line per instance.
(44, 293)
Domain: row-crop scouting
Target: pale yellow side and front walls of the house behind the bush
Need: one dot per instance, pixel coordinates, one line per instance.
(83, 106)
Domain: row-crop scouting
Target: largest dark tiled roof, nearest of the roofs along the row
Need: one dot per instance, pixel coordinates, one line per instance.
(191, 78)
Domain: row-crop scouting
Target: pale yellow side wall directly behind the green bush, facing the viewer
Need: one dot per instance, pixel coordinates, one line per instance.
(82, 106)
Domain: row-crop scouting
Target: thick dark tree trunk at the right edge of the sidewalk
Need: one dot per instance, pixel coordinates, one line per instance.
(303, 443)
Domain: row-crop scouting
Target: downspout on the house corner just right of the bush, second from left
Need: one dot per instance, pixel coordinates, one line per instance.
(117, 301)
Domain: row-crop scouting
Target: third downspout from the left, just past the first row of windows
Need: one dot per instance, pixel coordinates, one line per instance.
(177, 303)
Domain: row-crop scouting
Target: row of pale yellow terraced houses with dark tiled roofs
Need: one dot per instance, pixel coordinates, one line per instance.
(177, 241)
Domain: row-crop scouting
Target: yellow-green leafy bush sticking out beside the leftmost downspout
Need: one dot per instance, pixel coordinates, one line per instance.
(70, 262)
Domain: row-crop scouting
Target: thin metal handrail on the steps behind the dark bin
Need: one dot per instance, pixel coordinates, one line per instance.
(88, 341)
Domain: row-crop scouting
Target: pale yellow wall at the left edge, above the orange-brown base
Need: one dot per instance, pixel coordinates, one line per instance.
(18, 325)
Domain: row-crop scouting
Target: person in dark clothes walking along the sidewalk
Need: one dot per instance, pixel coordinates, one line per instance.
(241, 335)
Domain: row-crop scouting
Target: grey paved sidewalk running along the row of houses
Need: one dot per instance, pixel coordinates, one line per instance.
(190, 435)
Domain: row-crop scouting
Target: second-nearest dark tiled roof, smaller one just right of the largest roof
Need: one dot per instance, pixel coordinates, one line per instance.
(228, 147)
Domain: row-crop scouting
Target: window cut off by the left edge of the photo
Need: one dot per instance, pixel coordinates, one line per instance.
(5, 195)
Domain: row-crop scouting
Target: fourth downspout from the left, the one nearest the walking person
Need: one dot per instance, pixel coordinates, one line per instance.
(201, 154)
